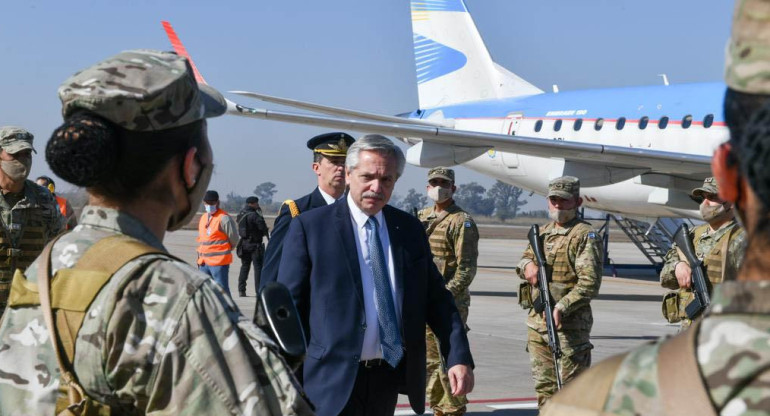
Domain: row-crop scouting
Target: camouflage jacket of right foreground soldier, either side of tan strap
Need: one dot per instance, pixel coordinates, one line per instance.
(733, 348)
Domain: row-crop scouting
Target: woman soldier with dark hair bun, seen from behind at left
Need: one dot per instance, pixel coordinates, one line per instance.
(159, 337)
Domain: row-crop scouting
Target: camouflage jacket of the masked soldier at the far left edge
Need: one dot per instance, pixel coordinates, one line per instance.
(29, 220)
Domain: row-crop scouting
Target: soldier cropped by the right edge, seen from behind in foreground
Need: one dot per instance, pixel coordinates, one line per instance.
(721, 364)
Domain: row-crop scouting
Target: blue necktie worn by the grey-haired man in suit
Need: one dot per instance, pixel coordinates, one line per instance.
(390, 338)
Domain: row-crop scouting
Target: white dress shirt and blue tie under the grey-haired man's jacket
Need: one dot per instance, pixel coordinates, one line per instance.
(372, 347)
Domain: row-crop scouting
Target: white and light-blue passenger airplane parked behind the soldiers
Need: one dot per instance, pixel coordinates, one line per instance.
(638, 151)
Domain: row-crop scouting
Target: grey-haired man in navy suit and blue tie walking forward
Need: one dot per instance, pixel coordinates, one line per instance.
(362, 276)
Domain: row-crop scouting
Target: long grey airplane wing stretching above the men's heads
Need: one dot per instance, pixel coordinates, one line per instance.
(670, 163)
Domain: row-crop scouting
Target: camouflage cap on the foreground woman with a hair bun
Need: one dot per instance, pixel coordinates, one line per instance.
(142, 90)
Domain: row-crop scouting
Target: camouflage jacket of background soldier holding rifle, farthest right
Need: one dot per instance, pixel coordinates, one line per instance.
(704, 242)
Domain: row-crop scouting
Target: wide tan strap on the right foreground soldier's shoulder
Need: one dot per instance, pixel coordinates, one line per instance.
(682, 388)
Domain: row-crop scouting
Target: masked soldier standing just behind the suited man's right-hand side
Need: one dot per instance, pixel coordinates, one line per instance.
(454, 242)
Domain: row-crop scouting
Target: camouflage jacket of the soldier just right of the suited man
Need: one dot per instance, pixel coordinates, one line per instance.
(454, 242)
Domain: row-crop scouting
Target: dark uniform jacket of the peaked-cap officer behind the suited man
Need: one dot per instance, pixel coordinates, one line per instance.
(275, 245)
